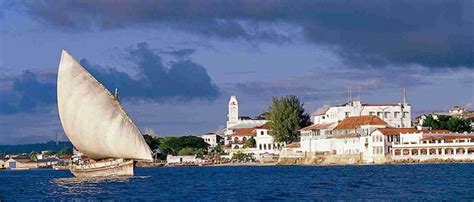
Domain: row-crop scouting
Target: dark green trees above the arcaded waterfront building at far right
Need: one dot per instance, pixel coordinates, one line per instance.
(453, 124)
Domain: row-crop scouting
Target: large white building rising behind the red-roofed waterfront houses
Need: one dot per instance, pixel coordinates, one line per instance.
(395, 115)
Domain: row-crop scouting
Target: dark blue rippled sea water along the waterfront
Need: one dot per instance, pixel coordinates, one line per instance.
(405, 182)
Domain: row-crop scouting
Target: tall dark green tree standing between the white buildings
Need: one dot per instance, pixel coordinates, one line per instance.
(287, 116)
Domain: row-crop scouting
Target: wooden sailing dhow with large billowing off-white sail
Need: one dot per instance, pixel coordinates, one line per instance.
(96, 124)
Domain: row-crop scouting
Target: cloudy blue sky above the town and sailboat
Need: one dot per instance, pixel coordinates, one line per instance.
(176, 63)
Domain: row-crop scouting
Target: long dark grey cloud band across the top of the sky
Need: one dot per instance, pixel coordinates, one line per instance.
(430, 33)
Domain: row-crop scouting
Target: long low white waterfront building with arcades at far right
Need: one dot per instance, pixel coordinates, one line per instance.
(425, 145)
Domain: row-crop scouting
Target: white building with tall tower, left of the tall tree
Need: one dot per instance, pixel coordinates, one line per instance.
(235, 121)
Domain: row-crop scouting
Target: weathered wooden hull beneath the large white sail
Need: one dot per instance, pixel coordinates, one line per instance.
(118, 167)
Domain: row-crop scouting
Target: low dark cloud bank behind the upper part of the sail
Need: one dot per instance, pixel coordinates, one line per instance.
(184, 80)
